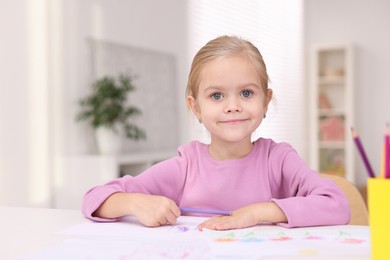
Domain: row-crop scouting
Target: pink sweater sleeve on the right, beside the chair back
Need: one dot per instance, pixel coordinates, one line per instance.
(305, 197)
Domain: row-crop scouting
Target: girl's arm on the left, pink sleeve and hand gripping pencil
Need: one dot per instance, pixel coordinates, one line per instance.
(150, 196)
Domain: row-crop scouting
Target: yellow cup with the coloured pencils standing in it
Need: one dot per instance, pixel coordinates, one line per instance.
(378, 198)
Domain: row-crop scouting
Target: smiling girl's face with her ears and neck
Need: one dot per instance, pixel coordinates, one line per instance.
(231, 101)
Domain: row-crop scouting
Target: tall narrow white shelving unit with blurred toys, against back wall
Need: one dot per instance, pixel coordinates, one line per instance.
(331, 109)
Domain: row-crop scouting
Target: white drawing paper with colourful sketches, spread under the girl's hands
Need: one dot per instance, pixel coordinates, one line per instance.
(129, 239)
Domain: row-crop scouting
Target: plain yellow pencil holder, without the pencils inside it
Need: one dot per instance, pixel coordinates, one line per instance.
(379, 217)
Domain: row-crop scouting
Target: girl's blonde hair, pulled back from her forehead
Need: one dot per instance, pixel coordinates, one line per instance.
(221, 47)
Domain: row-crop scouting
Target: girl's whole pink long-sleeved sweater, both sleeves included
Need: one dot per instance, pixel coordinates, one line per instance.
(270, 172)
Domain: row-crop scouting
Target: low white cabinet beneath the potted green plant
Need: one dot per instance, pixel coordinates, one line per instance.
(74, 175)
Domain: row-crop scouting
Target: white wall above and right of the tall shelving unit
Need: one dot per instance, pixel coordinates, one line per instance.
(364, 23)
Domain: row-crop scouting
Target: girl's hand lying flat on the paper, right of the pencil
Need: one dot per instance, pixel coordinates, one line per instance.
(246, 217)
